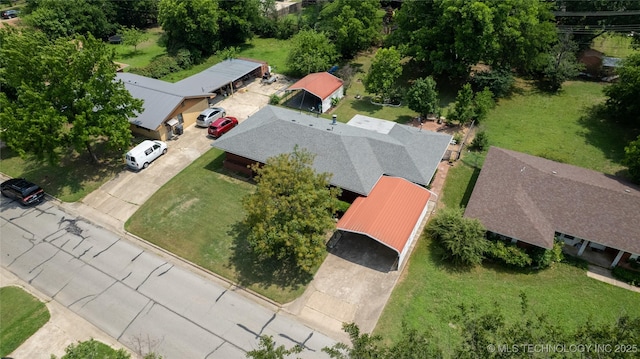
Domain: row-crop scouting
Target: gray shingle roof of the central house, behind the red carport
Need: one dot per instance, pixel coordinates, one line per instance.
(356, 157)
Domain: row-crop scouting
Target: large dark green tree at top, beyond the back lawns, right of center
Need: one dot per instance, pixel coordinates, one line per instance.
(449, 36)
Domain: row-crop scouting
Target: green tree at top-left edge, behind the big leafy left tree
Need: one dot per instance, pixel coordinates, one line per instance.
(72, 17)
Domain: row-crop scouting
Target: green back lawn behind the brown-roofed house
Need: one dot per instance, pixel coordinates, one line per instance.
(562, 127)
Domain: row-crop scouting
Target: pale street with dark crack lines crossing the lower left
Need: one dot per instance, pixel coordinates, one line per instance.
(132, 293)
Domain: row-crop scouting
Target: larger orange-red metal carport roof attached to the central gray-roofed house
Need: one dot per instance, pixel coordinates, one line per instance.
(389, 214)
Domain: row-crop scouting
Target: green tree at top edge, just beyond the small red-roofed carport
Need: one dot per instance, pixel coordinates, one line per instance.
(351, 25)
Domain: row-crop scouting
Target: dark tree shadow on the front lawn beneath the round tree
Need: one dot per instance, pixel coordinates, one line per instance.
(264, 273)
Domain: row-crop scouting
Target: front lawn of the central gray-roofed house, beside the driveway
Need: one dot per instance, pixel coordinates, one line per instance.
(196, 215)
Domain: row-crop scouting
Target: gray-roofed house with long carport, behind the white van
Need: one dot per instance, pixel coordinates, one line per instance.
(168, 104)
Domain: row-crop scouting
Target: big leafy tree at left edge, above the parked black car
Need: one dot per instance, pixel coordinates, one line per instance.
(61, 94)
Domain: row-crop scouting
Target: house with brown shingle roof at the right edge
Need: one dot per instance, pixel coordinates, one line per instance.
(533, 200)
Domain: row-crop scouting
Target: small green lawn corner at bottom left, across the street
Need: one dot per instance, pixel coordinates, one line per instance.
(21, 315)
